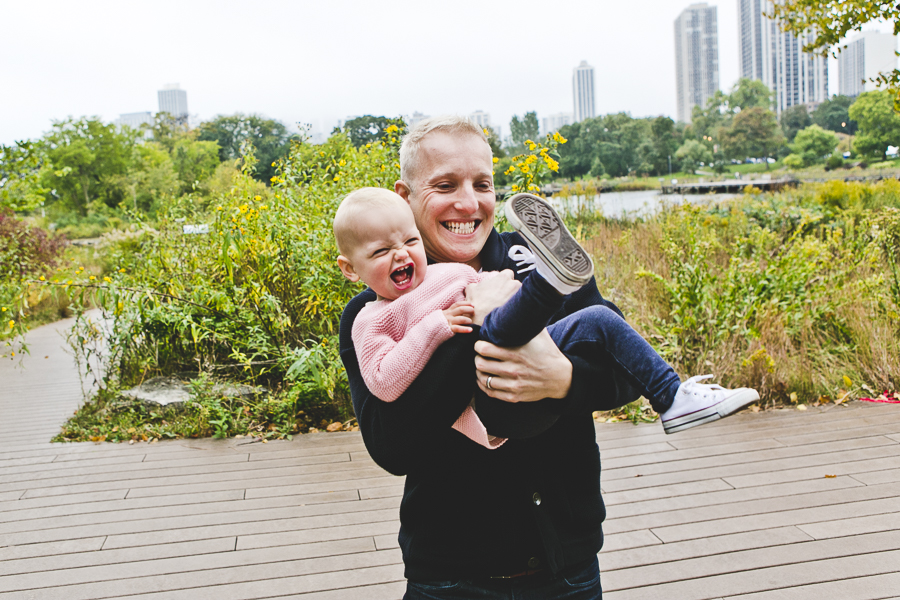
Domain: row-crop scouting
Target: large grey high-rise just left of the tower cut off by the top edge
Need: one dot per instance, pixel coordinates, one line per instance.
(696, 58)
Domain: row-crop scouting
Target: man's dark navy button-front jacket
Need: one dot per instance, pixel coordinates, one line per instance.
(469, 512)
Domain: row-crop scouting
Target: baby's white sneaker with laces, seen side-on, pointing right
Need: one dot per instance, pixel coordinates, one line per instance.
(698, 403)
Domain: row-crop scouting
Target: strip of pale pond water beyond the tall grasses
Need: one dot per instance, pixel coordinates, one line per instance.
(629, 205)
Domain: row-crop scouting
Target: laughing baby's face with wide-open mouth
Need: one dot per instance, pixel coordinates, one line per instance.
(389, 255)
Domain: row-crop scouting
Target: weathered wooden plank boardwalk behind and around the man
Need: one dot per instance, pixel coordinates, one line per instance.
(783, 505)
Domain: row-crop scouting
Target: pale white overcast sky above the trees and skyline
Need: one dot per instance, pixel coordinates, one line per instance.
(316, 62)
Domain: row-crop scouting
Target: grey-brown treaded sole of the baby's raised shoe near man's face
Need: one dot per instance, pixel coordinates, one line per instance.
(545, 232)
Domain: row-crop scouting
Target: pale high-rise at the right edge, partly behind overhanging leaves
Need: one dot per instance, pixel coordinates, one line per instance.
(865, 56)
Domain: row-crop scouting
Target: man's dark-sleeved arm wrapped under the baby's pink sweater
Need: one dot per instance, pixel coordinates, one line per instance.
(401, 435)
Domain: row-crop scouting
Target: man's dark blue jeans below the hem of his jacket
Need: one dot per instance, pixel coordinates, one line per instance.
(583, 584)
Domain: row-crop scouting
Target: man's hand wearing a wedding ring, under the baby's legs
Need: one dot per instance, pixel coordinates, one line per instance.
(528, 373)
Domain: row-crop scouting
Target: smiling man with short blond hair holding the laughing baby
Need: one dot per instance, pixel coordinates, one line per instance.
(477, 522)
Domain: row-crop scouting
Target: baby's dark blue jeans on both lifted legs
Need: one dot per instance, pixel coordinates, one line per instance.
(593, 333)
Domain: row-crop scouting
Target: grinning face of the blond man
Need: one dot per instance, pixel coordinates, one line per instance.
(453, 200)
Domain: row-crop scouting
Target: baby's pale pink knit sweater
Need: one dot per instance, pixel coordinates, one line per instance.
(394, 339)
